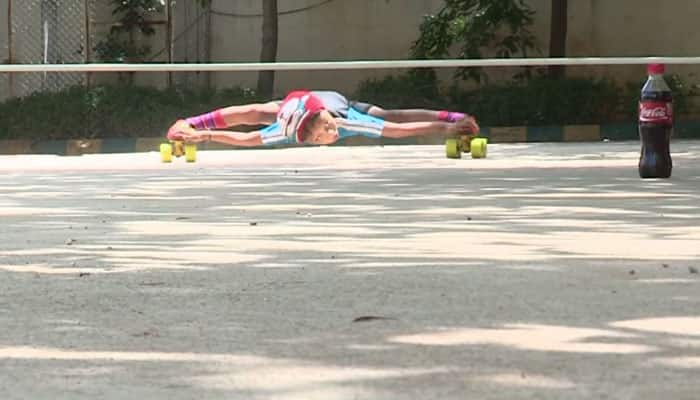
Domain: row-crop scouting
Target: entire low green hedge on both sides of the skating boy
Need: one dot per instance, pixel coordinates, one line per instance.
(137, 111)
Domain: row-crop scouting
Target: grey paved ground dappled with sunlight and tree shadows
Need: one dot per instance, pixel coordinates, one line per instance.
(546, 271)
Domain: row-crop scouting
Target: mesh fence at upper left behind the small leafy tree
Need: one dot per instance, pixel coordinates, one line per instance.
(68, 31)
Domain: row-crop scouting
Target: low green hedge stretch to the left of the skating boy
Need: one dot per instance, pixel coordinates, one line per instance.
(108, 111)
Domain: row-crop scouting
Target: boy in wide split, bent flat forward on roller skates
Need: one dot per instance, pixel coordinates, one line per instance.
(318, 118)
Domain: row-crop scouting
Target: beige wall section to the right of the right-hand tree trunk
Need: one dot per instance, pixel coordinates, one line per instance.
(633, 28)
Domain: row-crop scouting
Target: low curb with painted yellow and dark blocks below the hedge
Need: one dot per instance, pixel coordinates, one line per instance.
(514, 134)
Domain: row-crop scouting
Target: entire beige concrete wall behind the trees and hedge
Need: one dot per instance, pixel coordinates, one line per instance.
(384, 29)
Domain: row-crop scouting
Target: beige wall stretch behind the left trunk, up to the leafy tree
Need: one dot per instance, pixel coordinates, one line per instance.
(336, 30)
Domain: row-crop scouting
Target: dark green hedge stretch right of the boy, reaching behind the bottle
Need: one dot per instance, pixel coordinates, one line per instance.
(538, 100)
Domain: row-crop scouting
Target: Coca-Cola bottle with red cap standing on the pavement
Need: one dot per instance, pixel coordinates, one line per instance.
(655, 125)
